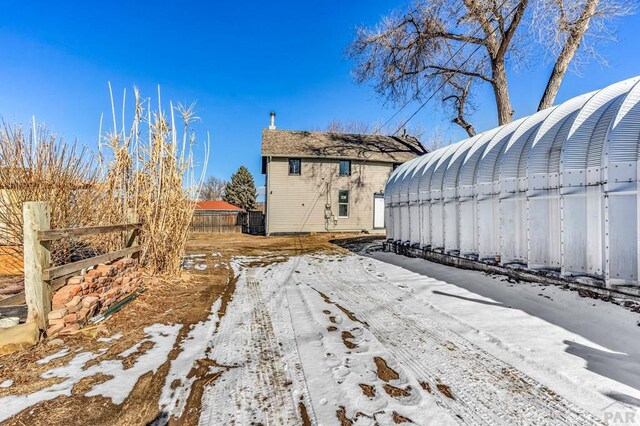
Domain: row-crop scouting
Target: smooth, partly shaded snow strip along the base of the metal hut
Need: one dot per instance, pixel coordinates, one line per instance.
(563, 333)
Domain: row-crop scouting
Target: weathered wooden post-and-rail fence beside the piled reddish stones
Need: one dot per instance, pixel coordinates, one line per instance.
(39, 275)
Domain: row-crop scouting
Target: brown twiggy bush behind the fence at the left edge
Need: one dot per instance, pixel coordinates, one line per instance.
(35, 166)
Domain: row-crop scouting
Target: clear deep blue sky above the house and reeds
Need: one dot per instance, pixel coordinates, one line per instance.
(238, 60)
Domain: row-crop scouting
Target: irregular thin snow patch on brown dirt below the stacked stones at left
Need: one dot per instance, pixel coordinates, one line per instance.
(117, 387)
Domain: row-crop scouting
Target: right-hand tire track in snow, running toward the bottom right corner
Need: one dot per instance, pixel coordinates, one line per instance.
(486, 390)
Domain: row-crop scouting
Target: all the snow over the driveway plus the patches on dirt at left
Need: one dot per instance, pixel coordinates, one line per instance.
(380, 339)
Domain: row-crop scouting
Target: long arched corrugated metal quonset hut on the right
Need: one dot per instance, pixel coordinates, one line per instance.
(555, 191)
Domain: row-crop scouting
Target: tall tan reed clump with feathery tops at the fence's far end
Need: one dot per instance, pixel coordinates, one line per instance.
(150, 168)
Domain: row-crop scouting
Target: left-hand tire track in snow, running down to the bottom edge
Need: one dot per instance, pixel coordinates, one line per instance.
(256, 386)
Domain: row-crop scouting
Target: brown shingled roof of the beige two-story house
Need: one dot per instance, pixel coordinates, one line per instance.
(388, 149)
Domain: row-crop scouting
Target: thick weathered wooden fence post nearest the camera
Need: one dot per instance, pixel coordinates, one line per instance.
(37, 258)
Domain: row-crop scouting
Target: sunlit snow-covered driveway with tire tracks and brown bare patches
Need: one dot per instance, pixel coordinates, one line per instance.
(336, 338)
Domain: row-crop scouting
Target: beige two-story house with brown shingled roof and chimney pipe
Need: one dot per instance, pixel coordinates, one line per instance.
(329, 182)
